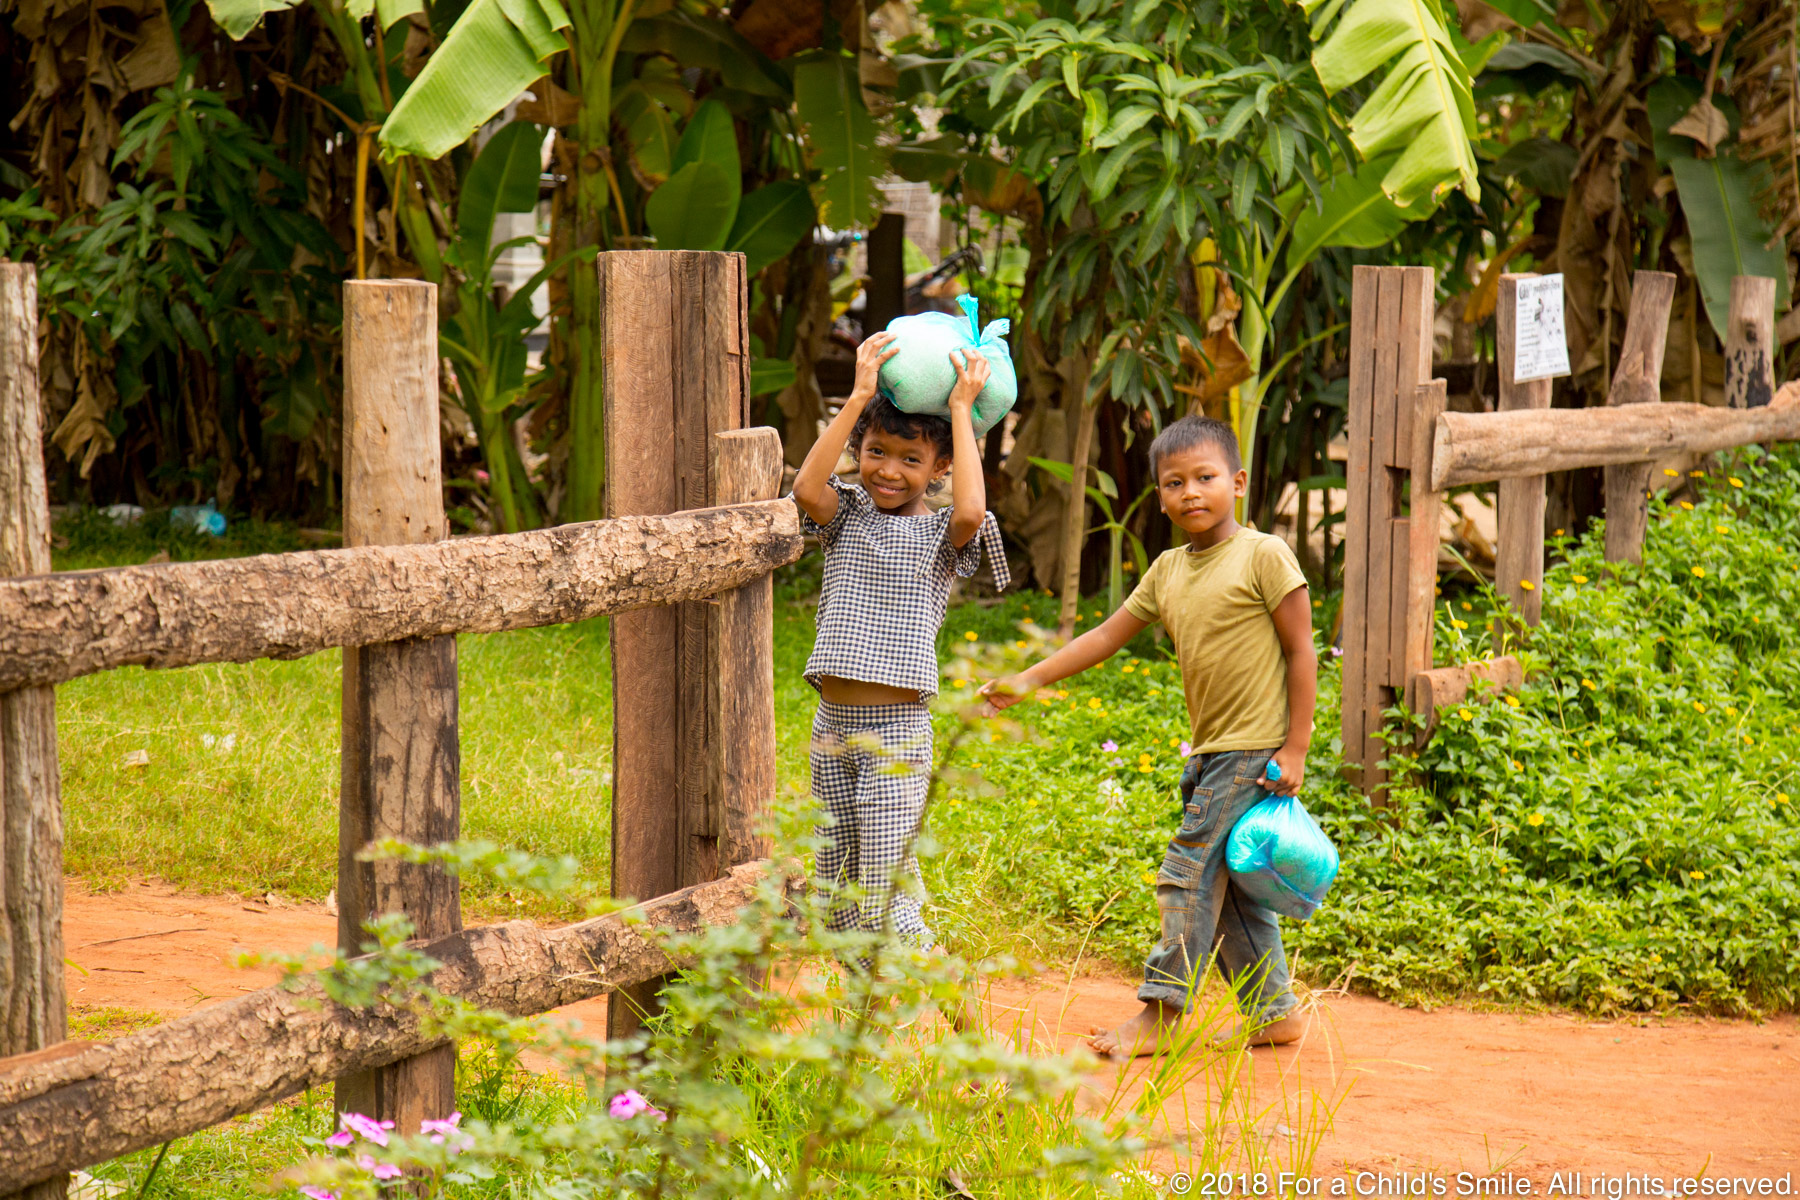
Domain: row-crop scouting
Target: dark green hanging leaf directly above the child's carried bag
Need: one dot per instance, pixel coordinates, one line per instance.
(841, 141)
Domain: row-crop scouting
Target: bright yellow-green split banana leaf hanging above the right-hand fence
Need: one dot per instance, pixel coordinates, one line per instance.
(1423, 111)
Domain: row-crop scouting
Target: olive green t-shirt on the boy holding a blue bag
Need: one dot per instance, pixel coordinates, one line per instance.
(1218, 609)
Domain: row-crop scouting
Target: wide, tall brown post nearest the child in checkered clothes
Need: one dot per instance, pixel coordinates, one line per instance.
(676, 352)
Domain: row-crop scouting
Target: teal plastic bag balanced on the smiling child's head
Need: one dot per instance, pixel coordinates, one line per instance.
(921, 377)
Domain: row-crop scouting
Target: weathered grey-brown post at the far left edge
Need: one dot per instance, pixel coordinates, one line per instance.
(33, 1010)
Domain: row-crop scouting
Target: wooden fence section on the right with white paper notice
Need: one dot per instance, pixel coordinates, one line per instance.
(1407, 452)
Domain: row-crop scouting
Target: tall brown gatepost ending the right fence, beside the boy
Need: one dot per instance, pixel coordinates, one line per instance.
(1387, 575)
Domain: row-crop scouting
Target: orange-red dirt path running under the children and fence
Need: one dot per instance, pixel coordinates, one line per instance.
(1446, 1091)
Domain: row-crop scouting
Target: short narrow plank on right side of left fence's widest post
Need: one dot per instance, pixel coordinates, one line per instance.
(742, 701)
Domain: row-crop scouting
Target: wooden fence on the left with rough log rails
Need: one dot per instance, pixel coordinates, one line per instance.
(683, 566)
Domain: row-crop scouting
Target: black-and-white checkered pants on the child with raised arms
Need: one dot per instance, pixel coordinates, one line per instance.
(870, 769)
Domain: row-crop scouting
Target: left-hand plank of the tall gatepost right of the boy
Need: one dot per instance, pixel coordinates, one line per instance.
(1365, 291)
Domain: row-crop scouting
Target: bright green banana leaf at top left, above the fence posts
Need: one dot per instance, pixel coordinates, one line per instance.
(496, 51)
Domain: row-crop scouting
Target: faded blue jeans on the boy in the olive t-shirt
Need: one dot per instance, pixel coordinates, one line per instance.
(1203, 911)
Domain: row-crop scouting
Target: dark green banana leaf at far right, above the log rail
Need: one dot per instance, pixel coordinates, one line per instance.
(1727, 229)
